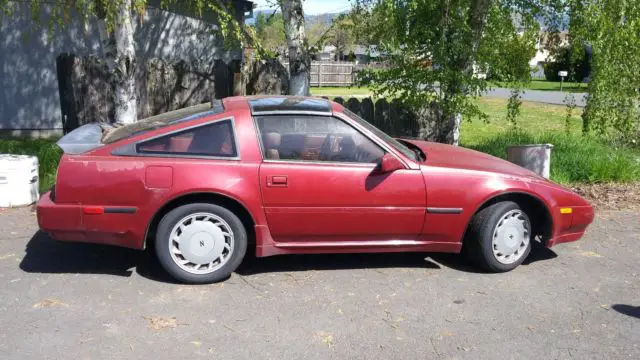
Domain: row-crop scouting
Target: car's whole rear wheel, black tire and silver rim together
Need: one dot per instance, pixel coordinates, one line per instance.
(200, 243)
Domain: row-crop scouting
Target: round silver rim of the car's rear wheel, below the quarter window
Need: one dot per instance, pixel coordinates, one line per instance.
(201, 243)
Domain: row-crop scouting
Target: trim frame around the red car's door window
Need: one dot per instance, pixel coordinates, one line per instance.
(314, 162)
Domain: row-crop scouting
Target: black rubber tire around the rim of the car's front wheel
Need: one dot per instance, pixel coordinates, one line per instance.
(478, 241)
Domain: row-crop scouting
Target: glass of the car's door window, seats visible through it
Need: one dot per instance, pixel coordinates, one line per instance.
(314, 138)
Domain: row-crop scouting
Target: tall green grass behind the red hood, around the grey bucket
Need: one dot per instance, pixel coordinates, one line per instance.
(574, 158)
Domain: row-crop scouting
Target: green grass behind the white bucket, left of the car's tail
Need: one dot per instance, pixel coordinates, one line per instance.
(45, 149)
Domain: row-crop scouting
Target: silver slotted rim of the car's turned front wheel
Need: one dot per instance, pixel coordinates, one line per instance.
(511, 237)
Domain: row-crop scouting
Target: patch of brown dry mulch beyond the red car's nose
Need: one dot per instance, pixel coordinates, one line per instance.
(611, 196)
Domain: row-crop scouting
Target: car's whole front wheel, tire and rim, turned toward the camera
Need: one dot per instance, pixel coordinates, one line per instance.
(499, 237)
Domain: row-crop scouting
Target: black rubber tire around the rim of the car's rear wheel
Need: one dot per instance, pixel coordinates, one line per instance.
(171, 219)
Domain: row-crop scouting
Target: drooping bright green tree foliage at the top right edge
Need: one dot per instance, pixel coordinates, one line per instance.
(609, 29)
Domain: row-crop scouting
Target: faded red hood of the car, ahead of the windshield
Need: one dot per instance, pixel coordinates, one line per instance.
(461, 158)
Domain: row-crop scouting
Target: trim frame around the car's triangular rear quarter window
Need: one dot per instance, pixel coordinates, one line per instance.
(131, 149)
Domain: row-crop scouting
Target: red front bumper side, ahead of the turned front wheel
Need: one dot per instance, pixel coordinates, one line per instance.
(571, 227)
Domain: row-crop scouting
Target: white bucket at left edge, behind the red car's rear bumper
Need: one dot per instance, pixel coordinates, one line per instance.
(19, 182)
